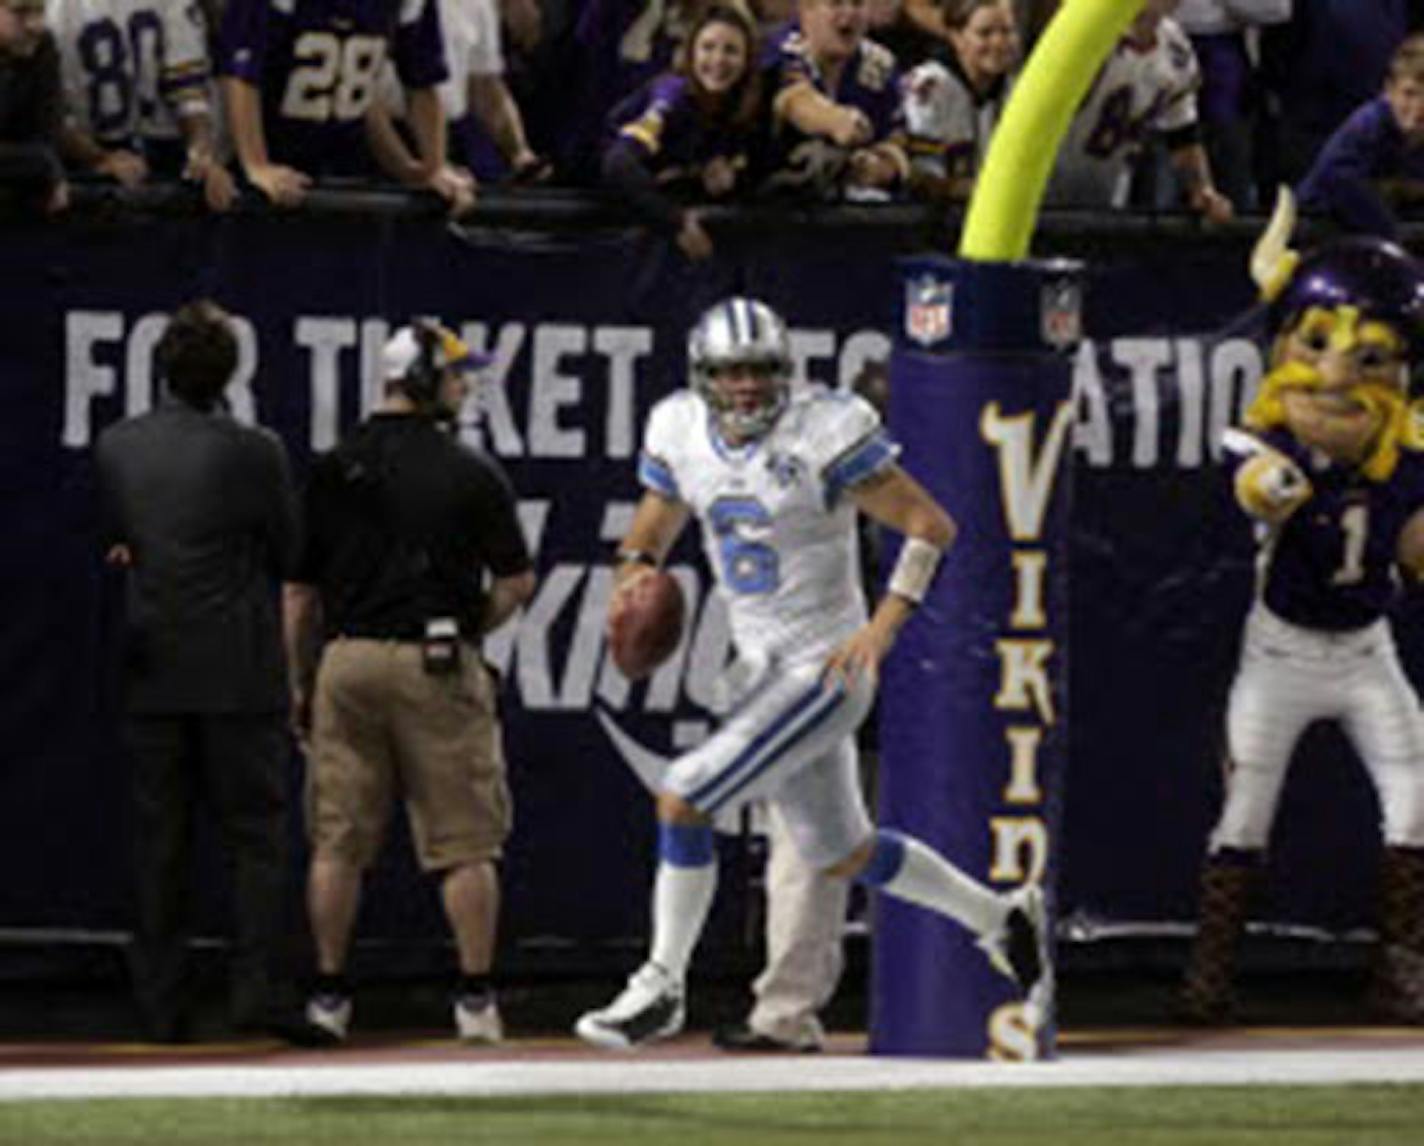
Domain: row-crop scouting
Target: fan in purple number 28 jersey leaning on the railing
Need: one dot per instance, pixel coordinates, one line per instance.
(300, 76)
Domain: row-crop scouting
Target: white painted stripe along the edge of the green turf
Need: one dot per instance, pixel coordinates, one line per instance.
(634, 1074)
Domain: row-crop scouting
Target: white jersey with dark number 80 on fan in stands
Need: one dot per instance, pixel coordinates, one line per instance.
(127, 65)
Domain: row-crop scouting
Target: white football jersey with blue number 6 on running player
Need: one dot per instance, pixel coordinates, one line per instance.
(778, 527)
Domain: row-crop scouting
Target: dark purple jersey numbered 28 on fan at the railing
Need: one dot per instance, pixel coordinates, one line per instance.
(318, 63)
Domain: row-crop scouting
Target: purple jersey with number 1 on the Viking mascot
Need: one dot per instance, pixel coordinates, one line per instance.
(1331, 566)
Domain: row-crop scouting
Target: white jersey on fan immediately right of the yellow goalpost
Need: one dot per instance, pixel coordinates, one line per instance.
(1138, 90)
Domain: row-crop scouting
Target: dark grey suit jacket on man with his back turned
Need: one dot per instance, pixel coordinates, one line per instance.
(206, 508)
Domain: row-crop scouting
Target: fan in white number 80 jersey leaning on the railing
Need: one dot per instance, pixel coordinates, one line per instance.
(137, 92)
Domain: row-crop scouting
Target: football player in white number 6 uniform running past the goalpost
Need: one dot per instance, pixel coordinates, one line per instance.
(775, 479)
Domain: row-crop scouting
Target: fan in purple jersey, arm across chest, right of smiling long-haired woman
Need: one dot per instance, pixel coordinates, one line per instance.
(834, 99)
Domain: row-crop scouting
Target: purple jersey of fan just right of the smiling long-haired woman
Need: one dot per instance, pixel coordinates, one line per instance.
(869, 82)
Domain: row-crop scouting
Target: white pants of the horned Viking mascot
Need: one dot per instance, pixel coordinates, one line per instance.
(1291, 677)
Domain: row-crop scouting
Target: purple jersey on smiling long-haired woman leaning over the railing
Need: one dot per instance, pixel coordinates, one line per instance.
(673, 136)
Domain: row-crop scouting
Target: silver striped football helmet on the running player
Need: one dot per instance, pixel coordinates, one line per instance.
(750, 335)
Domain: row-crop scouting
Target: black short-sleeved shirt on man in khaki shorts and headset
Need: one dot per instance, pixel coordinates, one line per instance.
(402, 523)
